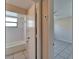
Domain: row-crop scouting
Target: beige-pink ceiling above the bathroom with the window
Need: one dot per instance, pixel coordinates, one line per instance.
(21, 3)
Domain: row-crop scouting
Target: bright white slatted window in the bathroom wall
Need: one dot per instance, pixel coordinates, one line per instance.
(11, 19)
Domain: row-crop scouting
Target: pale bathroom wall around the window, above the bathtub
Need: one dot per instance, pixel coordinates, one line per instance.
(16, 34)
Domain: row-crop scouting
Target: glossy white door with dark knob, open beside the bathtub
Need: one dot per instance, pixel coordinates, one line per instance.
(30, 32)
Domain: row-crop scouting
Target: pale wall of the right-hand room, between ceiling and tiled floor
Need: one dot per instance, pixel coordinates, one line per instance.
(63, 29)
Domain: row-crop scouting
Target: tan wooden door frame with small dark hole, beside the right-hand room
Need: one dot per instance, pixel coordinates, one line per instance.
(47, 29)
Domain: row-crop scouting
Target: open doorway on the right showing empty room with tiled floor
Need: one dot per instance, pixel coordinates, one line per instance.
(63, 29)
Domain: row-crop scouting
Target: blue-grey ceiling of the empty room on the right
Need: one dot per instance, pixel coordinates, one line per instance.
(62, 8)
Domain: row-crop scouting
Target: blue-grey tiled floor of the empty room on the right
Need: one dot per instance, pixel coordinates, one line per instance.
(62, 50)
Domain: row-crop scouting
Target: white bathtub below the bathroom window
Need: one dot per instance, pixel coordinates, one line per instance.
(14, 47)
